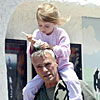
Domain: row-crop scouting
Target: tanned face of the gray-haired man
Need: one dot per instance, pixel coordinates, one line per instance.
(46, 68)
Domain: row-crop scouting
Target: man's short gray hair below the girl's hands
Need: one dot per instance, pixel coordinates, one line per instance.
(40, 53)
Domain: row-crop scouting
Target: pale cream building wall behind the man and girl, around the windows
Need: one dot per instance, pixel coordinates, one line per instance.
(19, 15)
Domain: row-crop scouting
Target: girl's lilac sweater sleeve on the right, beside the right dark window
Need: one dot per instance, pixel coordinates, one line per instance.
(62, 49)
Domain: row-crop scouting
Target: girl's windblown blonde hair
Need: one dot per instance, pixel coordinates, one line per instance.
(49, 13)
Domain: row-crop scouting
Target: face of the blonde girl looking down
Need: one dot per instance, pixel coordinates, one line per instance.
(46, 27)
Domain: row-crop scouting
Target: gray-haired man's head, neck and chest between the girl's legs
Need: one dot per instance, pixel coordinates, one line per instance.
(46, 67)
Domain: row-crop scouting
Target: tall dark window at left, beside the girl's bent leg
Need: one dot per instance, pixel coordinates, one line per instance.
(16, 62)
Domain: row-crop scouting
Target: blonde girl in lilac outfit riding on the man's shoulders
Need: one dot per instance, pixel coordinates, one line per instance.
(58, 40)
